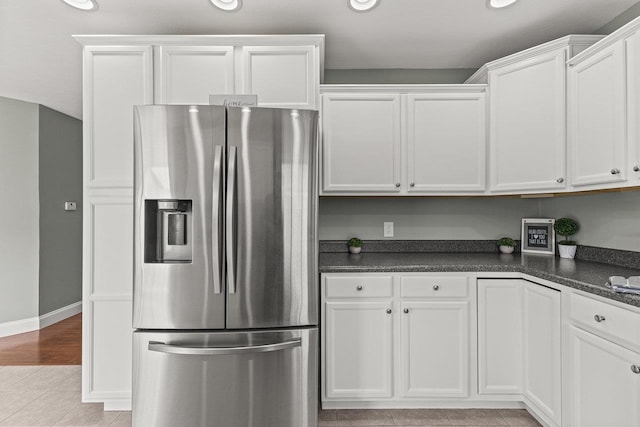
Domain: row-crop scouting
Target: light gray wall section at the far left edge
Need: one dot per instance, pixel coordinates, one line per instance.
(19, 212)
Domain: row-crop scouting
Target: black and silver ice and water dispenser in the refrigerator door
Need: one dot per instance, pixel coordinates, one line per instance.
(168, 235)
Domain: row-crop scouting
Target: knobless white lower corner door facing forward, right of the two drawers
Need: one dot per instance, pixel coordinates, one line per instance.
(500, 336)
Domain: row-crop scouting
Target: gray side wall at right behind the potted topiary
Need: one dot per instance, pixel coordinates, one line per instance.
(609, 220)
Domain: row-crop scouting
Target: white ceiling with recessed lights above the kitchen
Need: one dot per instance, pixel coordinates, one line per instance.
(41, 63)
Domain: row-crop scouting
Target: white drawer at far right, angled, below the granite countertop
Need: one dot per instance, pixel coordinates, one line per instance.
(611, 321)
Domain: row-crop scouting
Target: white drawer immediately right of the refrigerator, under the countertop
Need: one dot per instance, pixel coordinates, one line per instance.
(358, 286)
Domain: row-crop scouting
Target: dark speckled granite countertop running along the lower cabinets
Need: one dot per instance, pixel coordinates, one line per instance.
(587, 276)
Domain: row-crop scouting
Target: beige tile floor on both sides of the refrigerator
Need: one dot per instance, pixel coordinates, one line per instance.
(50, 396)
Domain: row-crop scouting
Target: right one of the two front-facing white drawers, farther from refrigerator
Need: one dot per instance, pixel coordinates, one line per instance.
(434, 286)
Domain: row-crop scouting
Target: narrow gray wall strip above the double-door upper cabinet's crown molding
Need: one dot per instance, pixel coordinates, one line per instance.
(398, 76)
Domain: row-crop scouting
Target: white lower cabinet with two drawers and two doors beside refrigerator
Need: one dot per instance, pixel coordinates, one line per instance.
(395, 337)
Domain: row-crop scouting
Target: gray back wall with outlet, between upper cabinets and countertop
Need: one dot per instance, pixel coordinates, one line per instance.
(423, 218)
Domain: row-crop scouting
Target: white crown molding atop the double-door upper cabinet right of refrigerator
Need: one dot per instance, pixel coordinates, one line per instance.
(403, 88)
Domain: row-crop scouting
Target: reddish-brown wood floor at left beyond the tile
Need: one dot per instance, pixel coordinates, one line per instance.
(58, 344)
